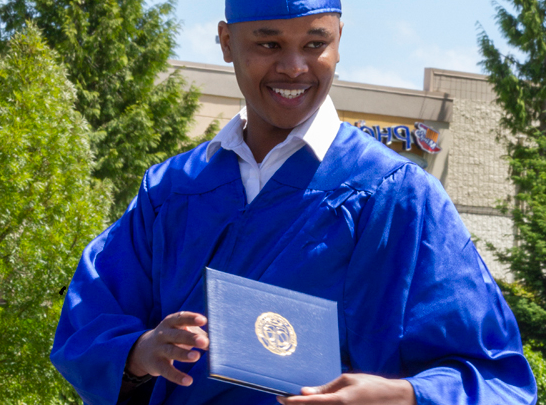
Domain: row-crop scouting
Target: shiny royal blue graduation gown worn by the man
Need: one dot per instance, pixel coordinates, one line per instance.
(365, 228)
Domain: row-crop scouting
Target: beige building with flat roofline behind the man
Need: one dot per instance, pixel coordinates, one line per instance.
(459, 106)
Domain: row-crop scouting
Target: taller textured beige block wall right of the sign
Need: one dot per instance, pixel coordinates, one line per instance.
(477, 175)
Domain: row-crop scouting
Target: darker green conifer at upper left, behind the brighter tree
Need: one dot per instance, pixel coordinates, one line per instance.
(114, 51)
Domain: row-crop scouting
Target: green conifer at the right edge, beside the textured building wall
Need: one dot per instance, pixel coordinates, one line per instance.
(520, 85)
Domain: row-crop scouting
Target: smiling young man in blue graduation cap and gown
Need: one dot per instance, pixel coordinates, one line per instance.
(288, 195)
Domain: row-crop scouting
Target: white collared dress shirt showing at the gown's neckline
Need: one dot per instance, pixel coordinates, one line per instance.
(318, 132)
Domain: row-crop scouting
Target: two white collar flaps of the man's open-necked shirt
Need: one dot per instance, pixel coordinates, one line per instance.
(318, 131)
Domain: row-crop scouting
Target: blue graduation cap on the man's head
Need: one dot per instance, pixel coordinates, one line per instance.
(255, 10)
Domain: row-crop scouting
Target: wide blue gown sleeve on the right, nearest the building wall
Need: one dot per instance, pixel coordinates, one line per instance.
(421, 304)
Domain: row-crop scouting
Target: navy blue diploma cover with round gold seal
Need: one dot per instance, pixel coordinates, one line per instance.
(269, 338)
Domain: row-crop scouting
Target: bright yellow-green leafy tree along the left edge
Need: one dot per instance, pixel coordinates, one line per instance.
(50, 207)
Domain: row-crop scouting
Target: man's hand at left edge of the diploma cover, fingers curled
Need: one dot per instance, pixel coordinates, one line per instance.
(173, 339)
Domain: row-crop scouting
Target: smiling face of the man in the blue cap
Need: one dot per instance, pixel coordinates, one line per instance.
(284, 67)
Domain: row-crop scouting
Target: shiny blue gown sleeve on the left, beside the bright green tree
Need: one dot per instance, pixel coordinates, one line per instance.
(108, 305)
